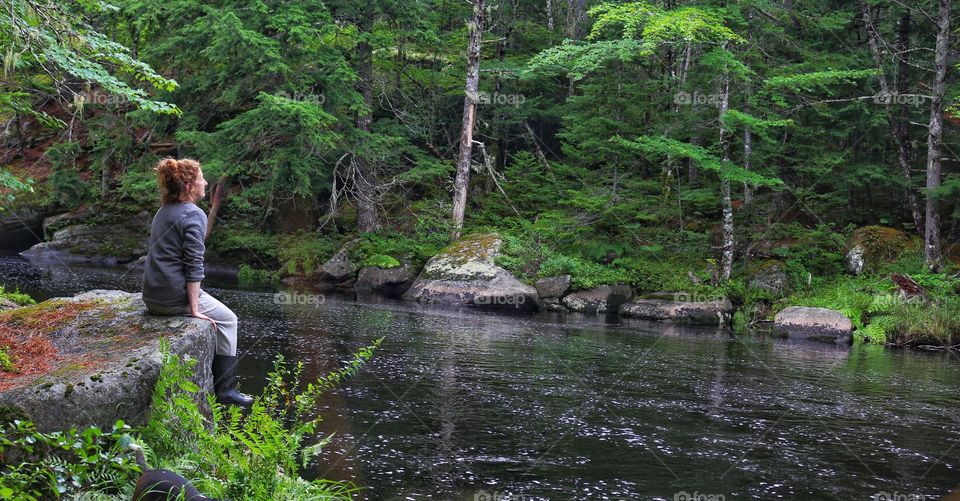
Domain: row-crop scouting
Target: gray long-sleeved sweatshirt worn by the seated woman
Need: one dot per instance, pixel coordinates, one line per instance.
(175, 254)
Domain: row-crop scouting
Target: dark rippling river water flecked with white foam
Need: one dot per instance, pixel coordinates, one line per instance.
(464, 405)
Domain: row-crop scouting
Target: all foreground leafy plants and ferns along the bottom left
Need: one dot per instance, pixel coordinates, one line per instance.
(234, 455)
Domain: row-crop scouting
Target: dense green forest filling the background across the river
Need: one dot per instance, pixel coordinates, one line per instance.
(668, 145)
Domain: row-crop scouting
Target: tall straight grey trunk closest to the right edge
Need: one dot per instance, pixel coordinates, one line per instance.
(934, 253)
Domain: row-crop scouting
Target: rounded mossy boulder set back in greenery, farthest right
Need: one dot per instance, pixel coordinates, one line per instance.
(872, 246)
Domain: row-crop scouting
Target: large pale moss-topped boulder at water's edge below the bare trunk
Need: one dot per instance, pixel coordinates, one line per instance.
(464, 273)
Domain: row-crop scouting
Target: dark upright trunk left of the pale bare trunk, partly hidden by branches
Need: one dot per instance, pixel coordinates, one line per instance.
(365, 180)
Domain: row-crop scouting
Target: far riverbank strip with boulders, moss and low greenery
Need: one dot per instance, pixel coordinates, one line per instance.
(874, 276)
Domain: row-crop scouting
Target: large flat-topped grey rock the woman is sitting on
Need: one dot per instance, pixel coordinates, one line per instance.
(105, 362)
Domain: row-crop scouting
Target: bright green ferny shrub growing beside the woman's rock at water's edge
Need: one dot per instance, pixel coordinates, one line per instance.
(257, 455)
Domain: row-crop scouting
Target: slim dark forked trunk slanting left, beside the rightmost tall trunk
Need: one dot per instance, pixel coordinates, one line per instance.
(898, 129)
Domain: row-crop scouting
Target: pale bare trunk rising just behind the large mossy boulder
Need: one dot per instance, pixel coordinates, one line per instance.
(469, 117)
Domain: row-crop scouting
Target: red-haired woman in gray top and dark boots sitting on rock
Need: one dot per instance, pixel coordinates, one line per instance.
(174, 268)
